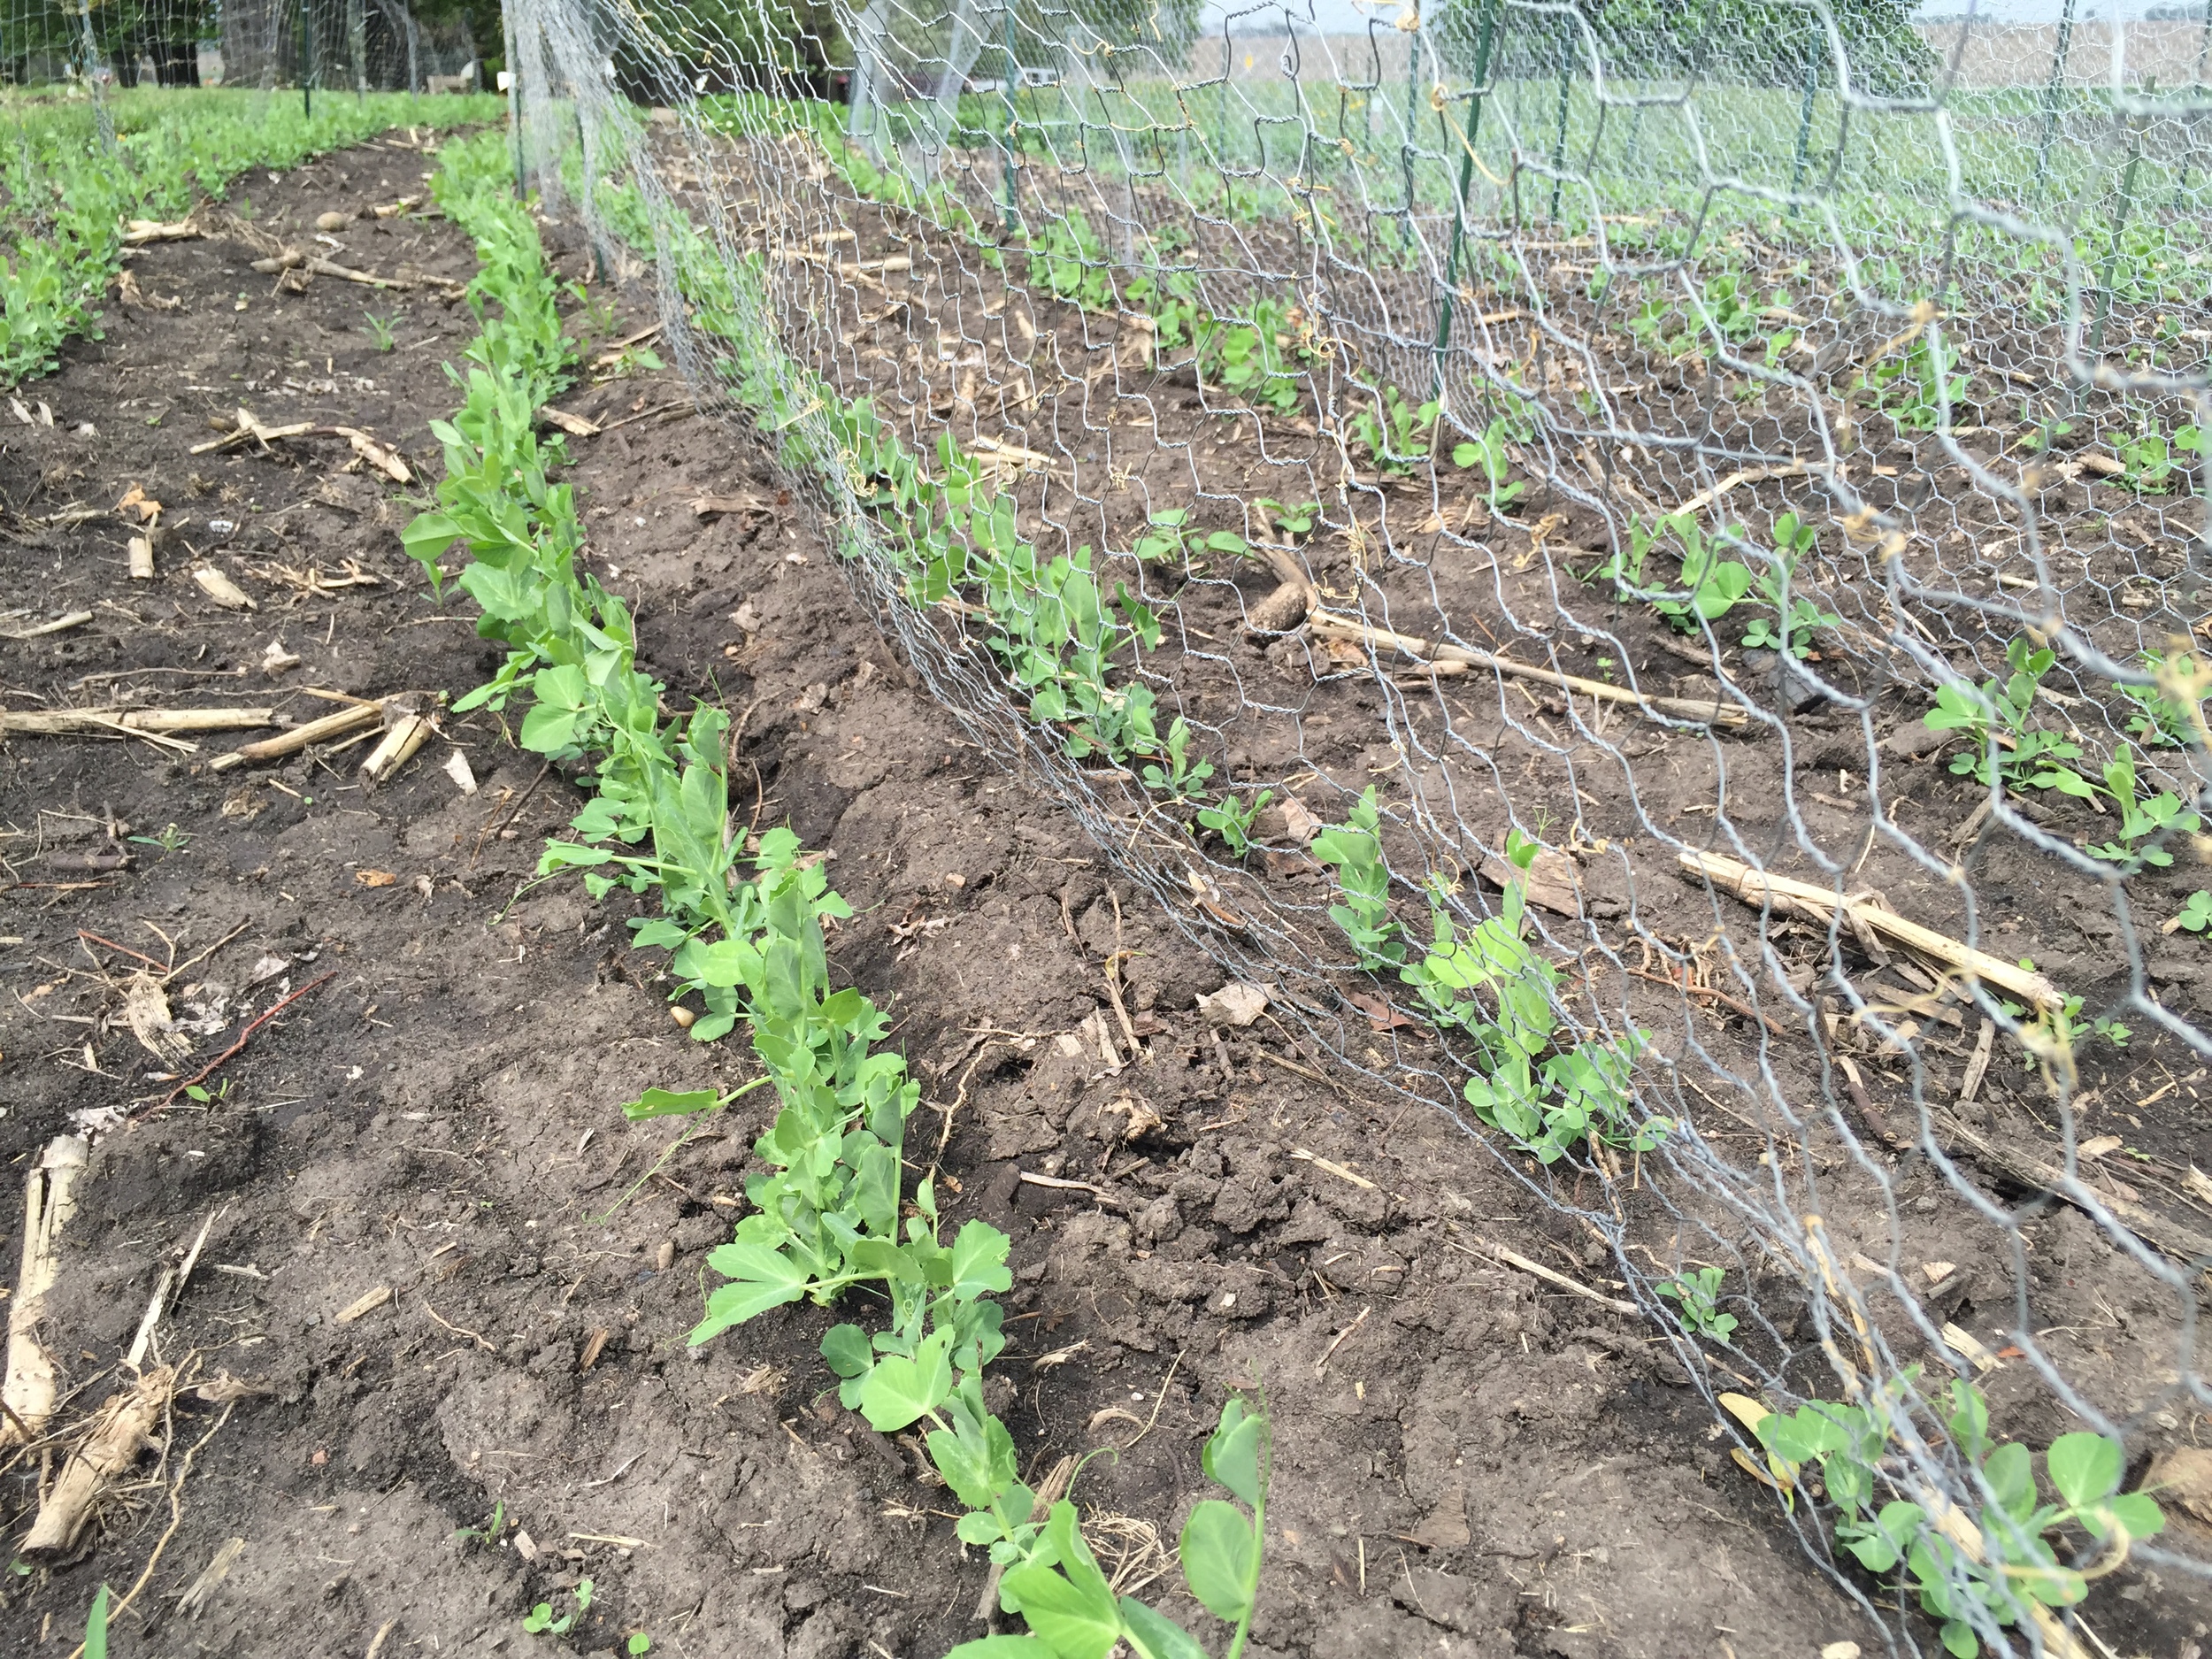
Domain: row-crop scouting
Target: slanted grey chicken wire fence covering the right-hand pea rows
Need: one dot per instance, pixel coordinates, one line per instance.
(1638, 565)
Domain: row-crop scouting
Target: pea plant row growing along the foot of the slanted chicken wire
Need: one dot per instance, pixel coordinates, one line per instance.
(1483, 988)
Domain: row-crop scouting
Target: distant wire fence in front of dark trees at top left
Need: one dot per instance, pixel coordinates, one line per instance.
(90, 48)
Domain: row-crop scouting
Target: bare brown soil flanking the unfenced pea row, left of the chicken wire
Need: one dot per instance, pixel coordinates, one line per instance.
(1470, 1461)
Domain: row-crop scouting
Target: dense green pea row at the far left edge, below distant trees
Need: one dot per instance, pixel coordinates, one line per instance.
(65, 200)
